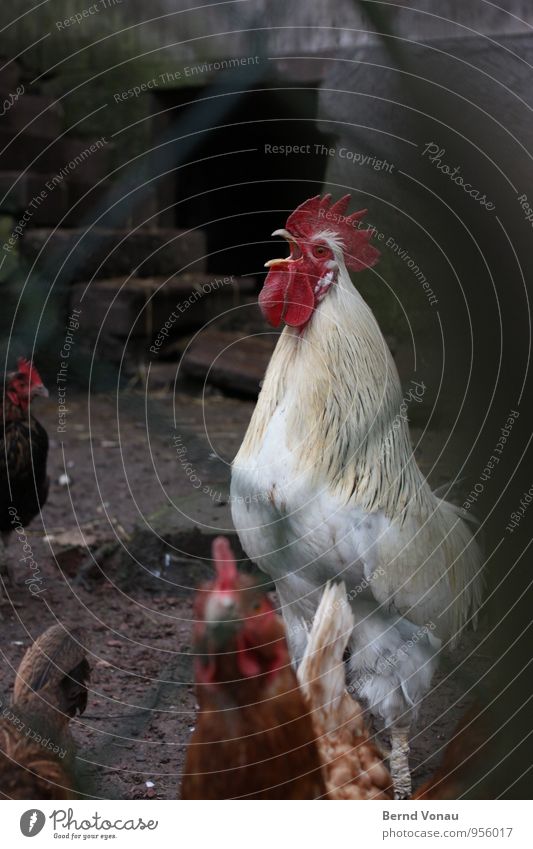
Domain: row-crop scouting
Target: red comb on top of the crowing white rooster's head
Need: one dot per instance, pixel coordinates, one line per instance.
(318, 214)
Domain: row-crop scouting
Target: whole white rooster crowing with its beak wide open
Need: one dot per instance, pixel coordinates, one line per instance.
(325, 485)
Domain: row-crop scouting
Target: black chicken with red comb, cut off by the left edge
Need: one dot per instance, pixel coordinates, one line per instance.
(23, 450)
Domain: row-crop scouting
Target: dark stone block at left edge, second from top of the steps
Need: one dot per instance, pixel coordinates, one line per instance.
(24, 113)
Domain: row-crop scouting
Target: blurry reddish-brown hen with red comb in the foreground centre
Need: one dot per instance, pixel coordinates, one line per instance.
(254, 737)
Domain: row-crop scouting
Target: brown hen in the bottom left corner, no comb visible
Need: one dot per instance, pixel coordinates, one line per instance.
(36, 749)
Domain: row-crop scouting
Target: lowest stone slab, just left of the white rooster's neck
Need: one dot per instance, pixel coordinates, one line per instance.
(231, 361)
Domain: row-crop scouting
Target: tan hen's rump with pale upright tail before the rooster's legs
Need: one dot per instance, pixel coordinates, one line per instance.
(353, 764)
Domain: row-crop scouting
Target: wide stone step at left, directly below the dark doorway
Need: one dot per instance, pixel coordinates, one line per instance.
(112, 253)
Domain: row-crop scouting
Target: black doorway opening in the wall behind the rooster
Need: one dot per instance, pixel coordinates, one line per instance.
(238, 199)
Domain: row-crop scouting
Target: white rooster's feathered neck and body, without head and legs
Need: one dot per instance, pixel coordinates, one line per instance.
(329, 500)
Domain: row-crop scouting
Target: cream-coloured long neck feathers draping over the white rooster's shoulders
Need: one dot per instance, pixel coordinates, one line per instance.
(341, 389)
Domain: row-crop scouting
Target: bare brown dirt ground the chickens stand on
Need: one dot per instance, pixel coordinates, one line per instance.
(127, 485)
